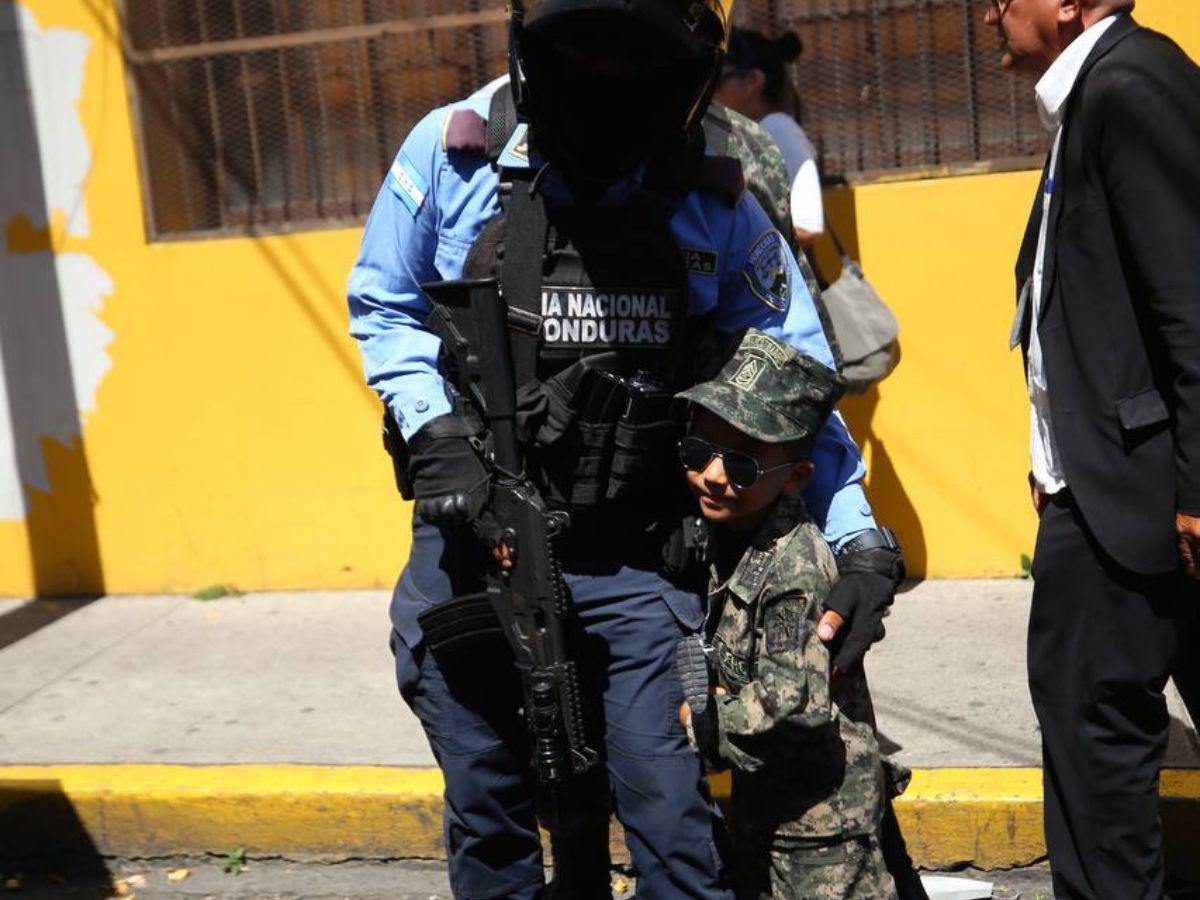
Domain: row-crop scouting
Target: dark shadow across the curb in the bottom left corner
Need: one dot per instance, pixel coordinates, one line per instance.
(46, 848)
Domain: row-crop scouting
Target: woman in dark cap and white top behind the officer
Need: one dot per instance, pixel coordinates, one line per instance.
(755, 83)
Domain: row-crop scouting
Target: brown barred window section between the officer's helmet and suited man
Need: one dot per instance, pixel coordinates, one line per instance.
(891, 87)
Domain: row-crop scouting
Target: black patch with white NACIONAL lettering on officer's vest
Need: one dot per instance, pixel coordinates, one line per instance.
(586, 317)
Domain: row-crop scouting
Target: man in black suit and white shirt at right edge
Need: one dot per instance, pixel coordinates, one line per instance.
(1109, 321)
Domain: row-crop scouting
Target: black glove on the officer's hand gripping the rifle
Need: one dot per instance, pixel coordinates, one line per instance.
(451, 483)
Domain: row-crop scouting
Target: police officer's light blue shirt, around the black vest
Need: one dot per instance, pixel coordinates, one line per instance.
(433, 207)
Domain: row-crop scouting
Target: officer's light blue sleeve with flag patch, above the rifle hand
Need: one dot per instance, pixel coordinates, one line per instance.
(388, 310)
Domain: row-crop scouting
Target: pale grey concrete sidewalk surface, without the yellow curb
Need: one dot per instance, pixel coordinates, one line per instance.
(308, 679)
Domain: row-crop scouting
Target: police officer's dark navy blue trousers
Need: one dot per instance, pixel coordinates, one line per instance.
(469, 704)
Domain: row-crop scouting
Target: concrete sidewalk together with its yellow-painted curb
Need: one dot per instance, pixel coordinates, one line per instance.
(272, 721)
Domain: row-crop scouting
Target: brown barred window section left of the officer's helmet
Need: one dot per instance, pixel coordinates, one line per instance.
(285, 115)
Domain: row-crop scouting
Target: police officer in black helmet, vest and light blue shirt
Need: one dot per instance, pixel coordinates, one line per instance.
(625, 255)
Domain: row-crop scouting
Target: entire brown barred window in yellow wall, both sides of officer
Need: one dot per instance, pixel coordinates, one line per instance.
(284, 115)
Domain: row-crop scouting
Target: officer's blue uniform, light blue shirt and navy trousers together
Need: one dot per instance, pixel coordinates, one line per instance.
(430, 212)
